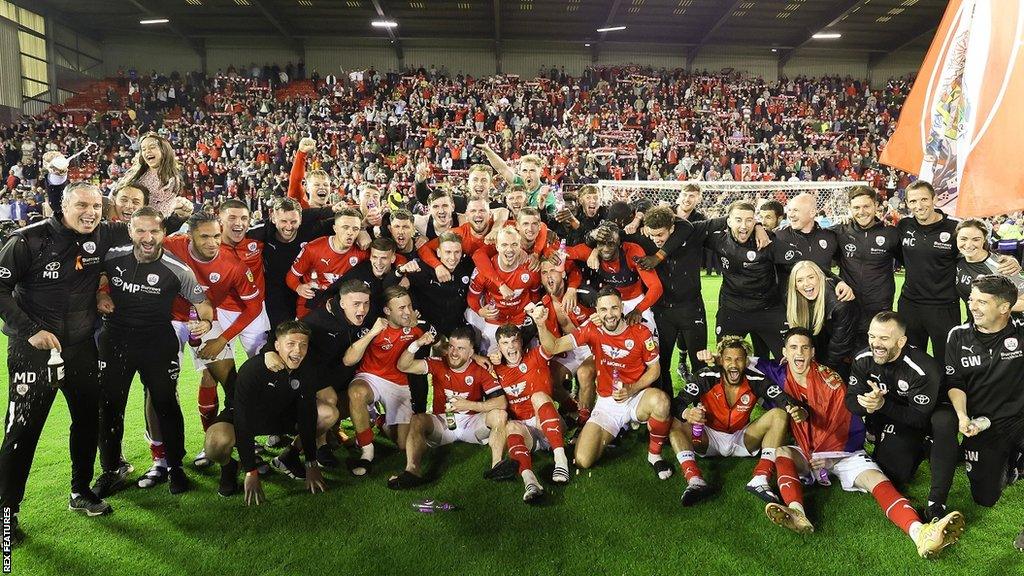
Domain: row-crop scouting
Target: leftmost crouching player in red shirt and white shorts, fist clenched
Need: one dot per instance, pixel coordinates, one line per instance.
(378, 379)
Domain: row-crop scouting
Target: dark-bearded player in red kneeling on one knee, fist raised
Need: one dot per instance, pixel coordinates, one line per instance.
(626, 356)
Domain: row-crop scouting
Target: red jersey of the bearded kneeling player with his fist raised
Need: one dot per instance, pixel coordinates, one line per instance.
(629, 352)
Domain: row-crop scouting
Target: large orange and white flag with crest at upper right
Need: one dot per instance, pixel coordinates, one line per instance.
(962, 128)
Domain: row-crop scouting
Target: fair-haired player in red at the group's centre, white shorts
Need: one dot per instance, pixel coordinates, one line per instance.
(490, 304)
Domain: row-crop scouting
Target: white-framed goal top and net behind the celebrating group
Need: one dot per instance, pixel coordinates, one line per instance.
(832, 197)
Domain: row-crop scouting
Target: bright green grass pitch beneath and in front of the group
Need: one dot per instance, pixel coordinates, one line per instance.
(618, 519)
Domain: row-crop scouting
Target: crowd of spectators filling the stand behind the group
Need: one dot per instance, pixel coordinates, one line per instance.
(236, 132)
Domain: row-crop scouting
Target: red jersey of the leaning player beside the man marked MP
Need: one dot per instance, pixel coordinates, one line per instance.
(224, 279)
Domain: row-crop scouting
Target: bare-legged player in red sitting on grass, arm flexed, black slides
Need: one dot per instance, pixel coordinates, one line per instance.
(468, 403)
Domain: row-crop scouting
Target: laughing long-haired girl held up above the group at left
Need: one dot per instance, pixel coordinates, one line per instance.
(156, 169)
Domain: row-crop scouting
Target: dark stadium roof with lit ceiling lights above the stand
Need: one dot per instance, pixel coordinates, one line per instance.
(881, 26)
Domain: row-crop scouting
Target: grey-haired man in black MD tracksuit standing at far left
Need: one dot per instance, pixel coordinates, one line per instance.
(50, 274)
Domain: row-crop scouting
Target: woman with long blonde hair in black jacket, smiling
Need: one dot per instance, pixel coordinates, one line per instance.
(812, 304)
